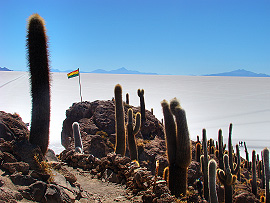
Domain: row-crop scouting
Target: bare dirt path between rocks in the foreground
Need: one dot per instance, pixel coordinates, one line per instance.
(99, 191)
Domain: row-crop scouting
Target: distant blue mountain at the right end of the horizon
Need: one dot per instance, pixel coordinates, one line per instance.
(240, 73)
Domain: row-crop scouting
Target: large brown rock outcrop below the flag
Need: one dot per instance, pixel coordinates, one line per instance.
(98, 118)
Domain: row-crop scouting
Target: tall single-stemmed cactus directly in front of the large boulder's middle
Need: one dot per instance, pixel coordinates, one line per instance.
(120, 147)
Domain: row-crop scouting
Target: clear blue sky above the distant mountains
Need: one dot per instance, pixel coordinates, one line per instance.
(191, 37)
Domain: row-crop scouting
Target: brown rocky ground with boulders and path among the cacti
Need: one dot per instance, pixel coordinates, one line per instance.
(98, 175)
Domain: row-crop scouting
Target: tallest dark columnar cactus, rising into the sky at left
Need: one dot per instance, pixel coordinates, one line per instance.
(38, 62)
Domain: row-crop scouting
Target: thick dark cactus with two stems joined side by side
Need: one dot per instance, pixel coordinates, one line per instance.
(178, 146)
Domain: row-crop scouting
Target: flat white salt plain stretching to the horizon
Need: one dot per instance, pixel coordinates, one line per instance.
(210, 102)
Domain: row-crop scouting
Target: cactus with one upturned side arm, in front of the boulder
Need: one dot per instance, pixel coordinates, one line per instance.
(132, 132)
